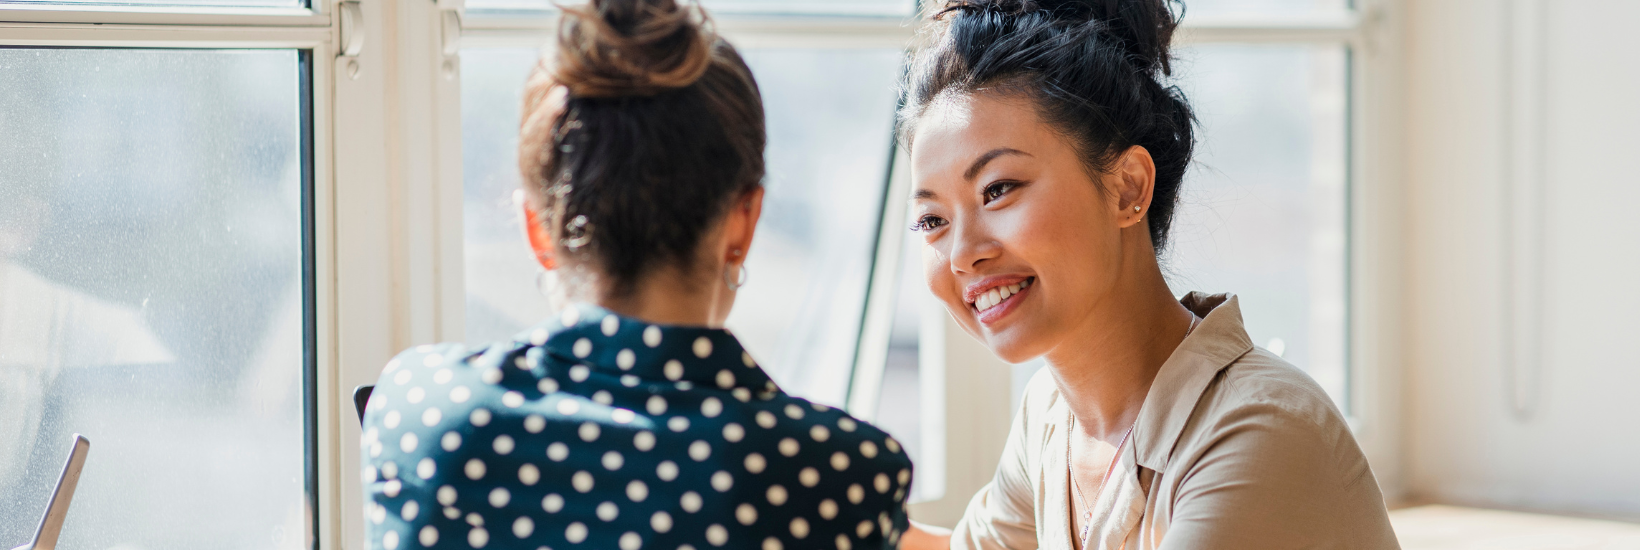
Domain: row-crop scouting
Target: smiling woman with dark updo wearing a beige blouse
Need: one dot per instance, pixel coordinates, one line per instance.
(1047, 157)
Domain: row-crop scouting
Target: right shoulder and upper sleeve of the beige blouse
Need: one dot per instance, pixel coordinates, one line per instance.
(1267, 444)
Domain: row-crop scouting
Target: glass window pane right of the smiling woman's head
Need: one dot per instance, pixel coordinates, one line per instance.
(1265, 211)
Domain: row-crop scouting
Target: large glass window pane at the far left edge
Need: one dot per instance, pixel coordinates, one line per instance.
(152, 298)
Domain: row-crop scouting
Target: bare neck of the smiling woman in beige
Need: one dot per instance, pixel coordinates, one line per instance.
(1106, 367)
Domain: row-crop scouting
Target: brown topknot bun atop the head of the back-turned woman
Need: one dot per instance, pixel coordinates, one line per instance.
(619, 48)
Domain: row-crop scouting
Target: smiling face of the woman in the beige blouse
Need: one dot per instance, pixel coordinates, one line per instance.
(1026, 245)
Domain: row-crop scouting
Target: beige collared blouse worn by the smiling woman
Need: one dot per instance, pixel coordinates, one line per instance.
(1234, 449)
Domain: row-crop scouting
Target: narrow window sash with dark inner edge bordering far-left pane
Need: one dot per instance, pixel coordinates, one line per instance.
(311, 34)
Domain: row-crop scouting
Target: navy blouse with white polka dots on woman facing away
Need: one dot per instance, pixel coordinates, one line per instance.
(596, 431)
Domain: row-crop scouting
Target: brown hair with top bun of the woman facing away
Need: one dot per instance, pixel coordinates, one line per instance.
(637, 139)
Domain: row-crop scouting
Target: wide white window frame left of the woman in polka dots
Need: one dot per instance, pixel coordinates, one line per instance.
(375, 234)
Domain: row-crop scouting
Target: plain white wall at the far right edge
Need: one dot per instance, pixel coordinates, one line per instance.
(1578, 451)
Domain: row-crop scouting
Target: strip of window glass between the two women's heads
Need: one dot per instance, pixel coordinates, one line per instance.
(831, 127)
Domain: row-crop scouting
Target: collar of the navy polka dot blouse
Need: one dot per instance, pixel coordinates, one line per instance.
(596, 337)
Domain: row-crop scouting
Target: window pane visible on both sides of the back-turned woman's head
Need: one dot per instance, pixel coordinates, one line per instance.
(831, 116)
